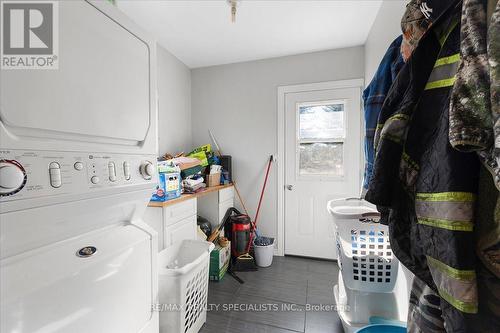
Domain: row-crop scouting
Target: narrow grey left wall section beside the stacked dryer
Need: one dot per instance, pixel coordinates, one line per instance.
(174, 91)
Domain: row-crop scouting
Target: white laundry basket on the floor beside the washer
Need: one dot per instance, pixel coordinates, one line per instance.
(183, 286)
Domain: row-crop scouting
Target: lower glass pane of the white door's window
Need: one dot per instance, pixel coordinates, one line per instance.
(321, 158)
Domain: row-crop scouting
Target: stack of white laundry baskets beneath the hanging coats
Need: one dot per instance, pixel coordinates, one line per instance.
(369, 284)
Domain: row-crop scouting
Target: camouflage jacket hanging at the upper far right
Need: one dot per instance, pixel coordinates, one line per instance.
(472, 122)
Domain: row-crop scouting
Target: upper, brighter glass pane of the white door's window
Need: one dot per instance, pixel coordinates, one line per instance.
(325, 121)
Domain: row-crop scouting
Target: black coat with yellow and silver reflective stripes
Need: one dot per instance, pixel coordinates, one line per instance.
(428, 188)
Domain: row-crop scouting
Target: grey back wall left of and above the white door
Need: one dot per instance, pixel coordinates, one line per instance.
(238, 102)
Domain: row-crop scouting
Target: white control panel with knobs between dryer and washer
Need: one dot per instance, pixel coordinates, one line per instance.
(32, 174)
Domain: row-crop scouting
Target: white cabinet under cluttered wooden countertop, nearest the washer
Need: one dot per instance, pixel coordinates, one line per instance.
(173, 223)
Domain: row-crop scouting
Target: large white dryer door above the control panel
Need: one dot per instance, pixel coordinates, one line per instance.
(102, 91)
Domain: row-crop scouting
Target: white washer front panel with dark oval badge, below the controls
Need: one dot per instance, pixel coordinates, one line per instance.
(99, 282)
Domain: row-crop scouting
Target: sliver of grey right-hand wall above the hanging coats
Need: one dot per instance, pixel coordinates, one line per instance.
(385, 29)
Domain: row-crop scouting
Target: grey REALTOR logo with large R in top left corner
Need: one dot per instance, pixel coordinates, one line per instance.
(29, 35)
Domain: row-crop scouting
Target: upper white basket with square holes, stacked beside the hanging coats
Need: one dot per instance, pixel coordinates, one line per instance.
(365, 256)
